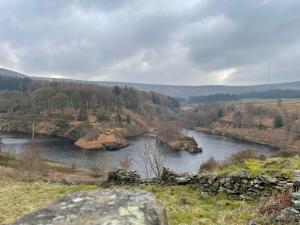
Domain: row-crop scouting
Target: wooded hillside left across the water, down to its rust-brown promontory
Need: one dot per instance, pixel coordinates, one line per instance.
(94, 117)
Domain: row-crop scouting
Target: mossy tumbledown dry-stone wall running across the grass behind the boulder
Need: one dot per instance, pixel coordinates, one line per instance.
(241, 186)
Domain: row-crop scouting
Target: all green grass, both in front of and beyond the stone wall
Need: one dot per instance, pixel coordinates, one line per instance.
(184, 204)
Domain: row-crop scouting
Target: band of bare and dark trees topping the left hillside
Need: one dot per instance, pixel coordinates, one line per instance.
(80, 99)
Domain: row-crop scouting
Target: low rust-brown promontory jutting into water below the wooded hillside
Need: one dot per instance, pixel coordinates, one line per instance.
(102, 141)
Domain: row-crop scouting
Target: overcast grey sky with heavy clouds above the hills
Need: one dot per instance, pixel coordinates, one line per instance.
(191, 42)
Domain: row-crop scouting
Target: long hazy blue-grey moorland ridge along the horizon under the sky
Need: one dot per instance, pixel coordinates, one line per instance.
(180, 91)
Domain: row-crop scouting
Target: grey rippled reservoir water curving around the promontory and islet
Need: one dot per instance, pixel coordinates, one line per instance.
(63, 151)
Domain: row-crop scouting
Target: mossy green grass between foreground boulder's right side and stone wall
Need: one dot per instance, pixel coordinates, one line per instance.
(186, 206)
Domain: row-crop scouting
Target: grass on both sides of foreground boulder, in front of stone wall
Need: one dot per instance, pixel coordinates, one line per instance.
(184, 204)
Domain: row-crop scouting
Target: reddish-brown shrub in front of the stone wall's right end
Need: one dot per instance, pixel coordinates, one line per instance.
(275, 203)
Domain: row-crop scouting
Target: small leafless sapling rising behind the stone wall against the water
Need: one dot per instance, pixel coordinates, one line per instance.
(153, 159)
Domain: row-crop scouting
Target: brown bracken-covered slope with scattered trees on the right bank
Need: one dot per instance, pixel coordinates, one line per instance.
(275, 123)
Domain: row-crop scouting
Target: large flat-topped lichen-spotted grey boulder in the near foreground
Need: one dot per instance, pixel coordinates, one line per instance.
(101, 207)
